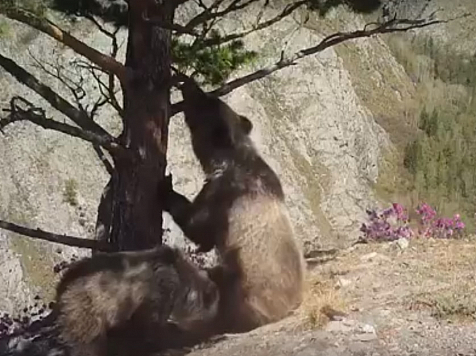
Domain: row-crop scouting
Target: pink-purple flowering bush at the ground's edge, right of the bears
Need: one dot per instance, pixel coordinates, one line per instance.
(392, 224)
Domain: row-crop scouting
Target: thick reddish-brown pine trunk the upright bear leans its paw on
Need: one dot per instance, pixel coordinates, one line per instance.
(136, 209)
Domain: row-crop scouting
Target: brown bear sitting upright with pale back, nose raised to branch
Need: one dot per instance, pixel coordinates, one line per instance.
(241, 210)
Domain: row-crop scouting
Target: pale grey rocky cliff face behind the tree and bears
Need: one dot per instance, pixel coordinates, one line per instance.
(322, 125)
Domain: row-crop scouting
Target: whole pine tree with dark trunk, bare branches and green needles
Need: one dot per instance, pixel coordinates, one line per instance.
(129, 213)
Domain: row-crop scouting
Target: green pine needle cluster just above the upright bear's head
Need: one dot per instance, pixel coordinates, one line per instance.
(214, 63)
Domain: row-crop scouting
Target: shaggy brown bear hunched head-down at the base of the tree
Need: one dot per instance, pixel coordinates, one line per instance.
(119, 302)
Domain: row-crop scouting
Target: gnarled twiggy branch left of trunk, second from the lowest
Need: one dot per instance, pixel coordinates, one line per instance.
(37, 116)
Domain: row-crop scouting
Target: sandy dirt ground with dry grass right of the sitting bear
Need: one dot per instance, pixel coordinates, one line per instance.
(376, 299)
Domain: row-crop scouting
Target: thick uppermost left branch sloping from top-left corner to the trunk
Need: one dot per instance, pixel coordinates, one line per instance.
(44, 25)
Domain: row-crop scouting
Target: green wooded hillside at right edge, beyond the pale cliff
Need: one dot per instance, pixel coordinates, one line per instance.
(441, 155)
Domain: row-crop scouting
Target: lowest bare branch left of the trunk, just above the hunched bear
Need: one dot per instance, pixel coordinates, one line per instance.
(61, 239)
